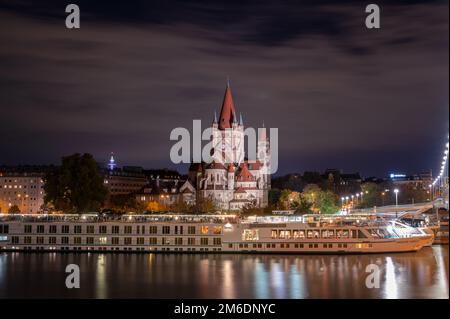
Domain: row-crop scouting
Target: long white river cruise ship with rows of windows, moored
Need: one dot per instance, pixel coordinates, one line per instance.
(208, 233)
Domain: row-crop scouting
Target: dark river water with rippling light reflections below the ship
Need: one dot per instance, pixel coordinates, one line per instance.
(407, 275)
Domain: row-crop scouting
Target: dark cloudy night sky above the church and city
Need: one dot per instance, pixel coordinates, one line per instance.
(342, 96)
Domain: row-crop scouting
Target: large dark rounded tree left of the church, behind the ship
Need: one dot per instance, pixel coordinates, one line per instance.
(75, 186)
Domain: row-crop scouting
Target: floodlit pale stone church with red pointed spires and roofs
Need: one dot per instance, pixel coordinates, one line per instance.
(231, 180)
